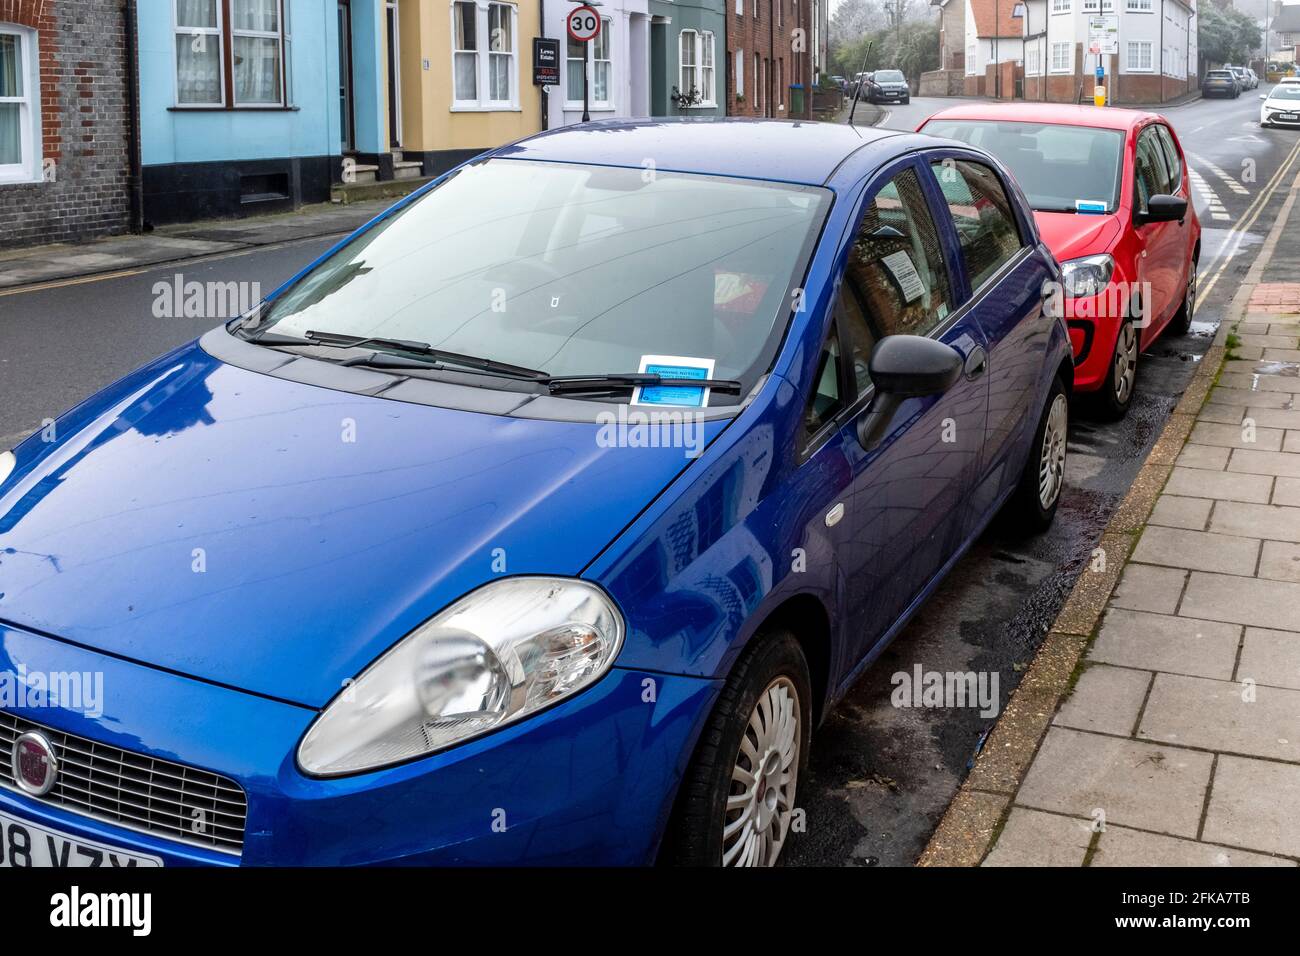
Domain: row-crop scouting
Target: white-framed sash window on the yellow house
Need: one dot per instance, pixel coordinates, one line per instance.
(486, 55)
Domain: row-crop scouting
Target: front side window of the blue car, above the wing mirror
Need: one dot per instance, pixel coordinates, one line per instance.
(896, 282)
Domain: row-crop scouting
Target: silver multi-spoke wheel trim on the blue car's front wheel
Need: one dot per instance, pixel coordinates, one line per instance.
(765, 775)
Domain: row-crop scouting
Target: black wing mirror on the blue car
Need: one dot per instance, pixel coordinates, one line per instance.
(905, 367)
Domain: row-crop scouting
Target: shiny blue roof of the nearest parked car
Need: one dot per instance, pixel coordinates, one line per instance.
(779, 150)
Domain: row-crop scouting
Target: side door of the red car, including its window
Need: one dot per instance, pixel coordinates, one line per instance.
(1160, 257)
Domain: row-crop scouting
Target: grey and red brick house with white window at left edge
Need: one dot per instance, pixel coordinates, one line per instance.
(67, 120)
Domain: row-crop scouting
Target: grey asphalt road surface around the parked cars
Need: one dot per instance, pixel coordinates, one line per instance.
(881, 776)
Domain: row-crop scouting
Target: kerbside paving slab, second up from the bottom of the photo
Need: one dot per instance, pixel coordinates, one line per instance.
(1133, 784)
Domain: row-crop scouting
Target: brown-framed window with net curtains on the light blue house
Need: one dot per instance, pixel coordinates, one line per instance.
(237, 64)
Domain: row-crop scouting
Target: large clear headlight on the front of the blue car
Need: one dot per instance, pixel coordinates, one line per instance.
(496, 656)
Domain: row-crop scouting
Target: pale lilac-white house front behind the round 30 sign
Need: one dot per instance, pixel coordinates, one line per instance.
(619, 64)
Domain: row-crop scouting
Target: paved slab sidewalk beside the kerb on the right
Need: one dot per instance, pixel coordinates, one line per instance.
(1181, 741)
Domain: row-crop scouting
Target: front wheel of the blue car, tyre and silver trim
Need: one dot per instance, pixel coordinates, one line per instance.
(762, 721)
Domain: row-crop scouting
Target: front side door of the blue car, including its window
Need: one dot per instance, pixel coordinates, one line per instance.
(905, 500)
